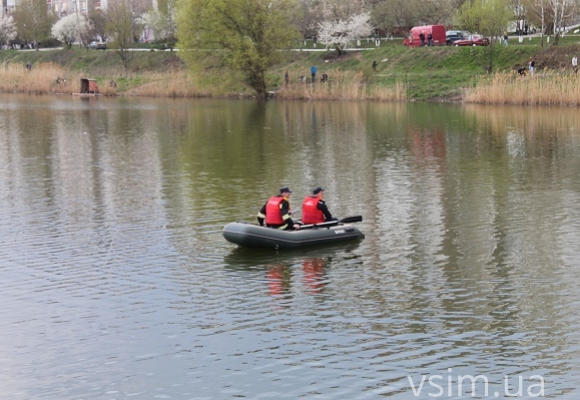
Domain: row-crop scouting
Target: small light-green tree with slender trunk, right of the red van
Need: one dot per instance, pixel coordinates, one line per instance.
(487, 17)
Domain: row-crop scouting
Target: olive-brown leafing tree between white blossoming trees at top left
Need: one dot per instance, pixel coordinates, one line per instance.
(33, 21)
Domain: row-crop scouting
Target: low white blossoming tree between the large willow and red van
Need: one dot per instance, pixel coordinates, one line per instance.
(339, 33)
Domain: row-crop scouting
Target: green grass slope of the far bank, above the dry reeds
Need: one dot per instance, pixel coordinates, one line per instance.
(429, 73)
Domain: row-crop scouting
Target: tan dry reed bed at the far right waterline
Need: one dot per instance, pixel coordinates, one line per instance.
(543, 89)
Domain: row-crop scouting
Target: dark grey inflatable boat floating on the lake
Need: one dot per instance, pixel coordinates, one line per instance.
(246, 234)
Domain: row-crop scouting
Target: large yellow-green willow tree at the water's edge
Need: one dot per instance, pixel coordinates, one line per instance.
(241, 36)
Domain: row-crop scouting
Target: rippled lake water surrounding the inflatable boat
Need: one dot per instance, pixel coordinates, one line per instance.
(116, 282)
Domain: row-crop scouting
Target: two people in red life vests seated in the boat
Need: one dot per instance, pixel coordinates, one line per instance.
(276, 213)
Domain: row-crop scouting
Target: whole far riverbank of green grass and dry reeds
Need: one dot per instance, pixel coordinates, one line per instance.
(430, 73)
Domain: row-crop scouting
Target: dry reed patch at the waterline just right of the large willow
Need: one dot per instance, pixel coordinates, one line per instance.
(343, 85)
